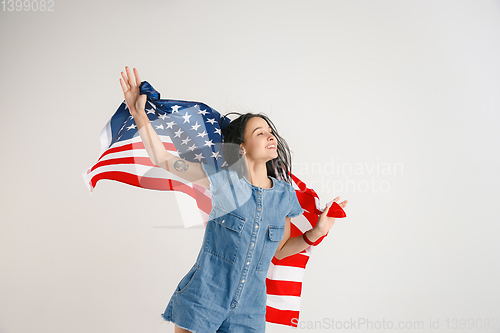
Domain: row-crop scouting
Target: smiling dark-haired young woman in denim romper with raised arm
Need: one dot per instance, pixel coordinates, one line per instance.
(225, 290)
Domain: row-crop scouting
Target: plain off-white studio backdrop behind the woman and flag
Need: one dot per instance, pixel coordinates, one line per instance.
(393, 105)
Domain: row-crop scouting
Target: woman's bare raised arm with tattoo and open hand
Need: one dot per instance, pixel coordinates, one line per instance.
(190, 171)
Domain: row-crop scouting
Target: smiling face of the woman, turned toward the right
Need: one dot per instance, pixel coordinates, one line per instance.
(259, 141)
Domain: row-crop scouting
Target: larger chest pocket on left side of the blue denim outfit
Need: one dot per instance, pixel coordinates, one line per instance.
(223, 233)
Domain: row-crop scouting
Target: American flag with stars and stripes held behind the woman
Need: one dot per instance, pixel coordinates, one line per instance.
(194, 131)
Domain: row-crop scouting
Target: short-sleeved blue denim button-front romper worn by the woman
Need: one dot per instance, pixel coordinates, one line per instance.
(225, 290)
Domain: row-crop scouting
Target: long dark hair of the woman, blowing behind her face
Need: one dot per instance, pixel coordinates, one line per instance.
(233, 134)
